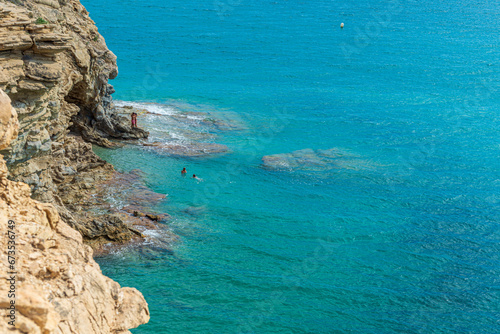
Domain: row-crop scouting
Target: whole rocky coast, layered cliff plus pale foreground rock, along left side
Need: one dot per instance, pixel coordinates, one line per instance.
(54, 70)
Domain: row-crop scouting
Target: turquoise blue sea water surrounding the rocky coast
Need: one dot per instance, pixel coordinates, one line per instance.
(406, 242)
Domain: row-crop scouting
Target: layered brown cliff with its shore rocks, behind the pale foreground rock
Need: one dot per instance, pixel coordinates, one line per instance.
(55, 67)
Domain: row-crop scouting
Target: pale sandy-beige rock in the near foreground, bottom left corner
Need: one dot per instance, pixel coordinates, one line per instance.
(59, 288)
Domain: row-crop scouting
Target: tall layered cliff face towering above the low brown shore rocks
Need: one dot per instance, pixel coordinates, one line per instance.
(55, 67)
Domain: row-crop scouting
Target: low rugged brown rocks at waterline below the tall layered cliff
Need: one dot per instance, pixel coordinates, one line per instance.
(88, 190)
